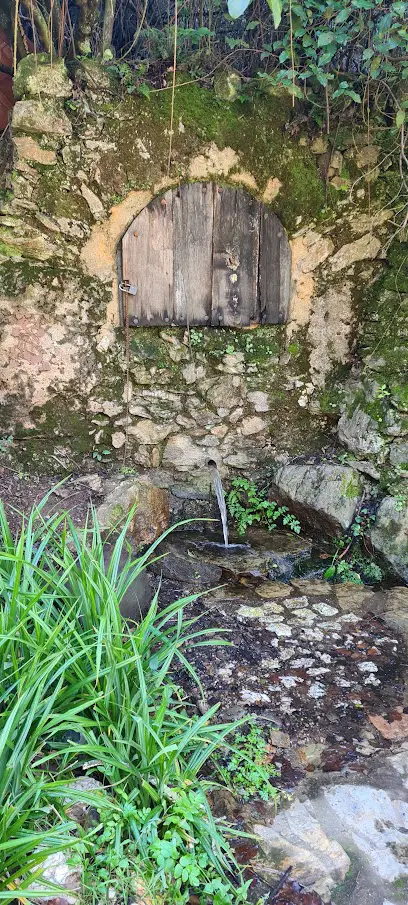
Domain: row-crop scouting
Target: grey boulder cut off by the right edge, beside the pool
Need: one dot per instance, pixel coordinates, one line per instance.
(389, 535)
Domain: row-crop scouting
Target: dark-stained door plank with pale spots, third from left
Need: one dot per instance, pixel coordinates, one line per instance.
(235, 258)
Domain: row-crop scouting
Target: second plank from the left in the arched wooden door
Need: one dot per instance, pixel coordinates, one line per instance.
(193, 215)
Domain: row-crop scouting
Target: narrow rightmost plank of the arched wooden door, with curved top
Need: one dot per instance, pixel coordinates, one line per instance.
(274, 270)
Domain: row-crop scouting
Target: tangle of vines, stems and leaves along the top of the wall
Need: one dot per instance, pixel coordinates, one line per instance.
(332, 53)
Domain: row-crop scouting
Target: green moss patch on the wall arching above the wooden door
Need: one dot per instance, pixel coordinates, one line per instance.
(255, 130)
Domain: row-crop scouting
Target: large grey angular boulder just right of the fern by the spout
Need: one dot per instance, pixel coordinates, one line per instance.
(324, 496)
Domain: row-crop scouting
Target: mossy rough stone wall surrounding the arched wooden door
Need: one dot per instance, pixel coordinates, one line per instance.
(82, 165)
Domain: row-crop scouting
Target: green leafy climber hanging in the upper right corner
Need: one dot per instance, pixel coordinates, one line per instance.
(341, 45)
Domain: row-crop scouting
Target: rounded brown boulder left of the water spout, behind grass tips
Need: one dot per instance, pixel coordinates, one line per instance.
(151, 517)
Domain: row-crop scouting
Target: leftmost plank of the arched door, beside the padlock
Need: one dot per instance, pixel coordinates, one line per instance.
(147, 254)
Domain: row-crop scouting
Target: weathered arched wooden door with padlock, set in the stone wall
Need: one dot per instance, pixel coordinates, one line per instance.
(203, 254)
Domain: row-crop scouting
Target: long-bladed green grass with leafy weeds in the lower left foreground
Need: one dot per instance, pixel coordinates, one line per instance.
(84, 693)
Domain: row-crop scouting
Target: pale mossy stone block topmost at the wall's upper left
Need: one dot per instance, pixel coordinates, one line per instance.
(37, 76)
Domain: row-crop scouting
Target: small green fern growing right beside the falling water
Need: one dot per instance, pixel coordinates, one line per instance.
(248, 505)
